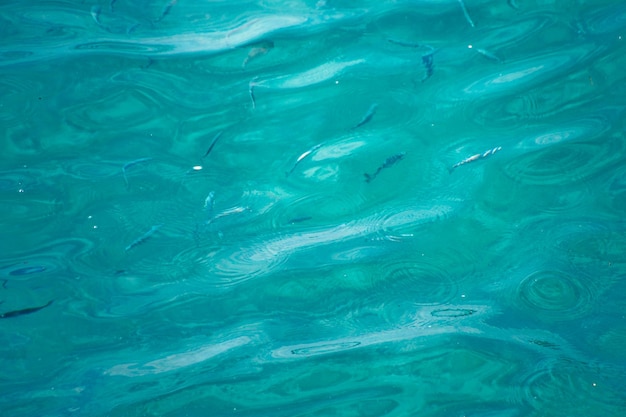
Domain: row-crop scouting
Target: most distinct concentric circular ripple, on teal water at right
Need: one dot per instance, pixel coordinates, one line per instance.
(554, 295)
